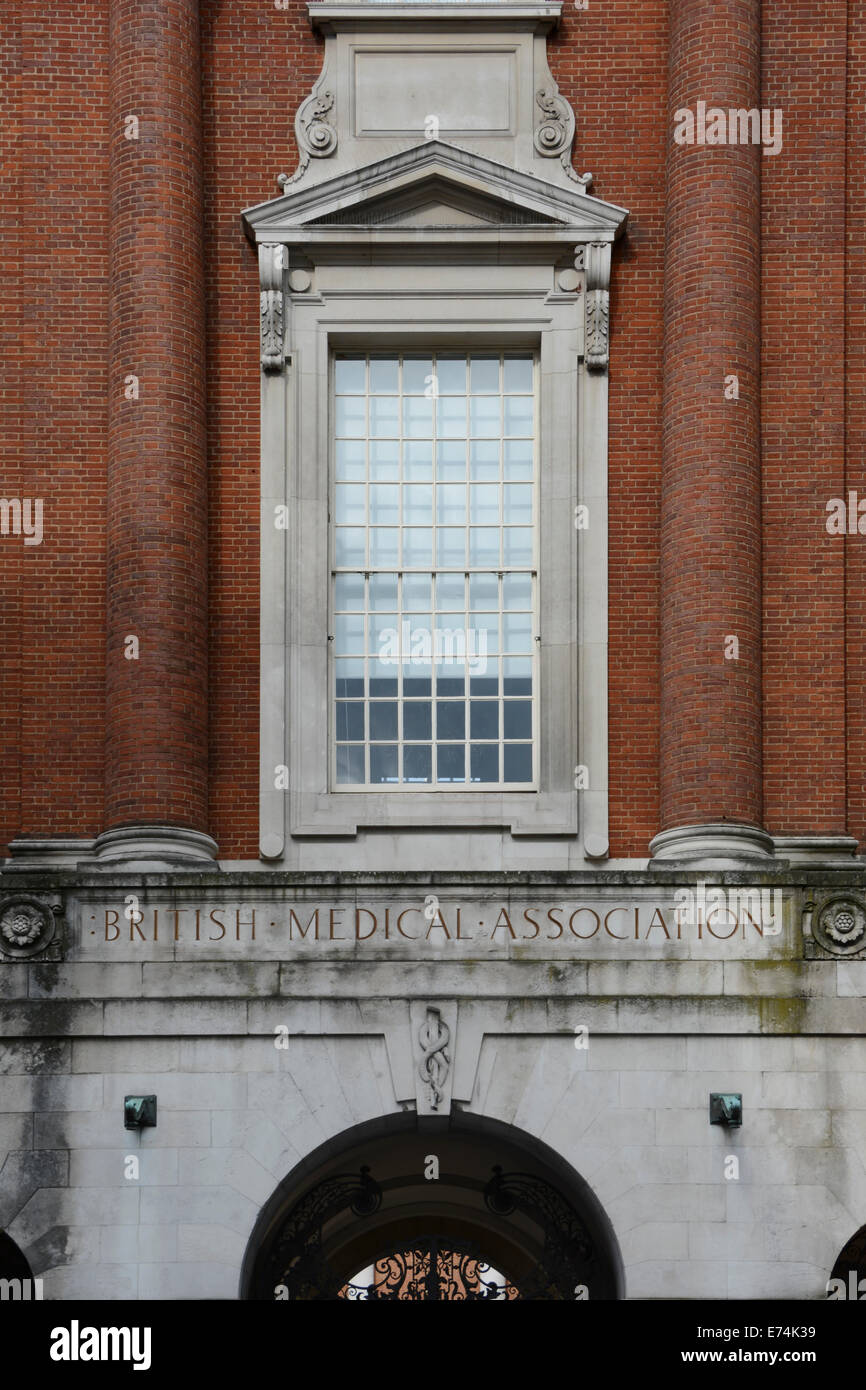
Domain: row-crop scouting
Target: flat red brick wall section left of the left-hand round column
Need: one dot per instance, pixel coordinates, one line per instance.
(54, 390)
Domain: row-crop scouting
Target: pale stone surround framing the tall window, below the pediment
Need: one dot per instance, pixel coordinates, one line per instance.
(411, 305)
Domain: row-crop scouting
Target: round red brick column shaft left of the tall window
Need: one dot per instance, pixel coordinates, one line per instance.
(156, 714)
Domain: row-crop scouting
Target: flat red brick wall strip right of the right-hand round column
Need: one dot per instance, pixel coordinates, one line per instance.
(803, 419)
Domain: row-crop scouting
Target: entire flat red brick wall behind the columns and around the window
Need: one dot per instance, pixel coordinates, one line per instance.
(258, 65)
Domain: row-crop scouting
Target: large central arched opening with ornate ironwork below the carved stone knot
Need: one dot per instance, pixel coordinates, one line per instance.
(394, 1210)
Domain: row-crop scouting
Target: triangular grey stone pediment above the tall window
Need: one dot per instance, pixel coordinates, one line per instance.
(433, 187)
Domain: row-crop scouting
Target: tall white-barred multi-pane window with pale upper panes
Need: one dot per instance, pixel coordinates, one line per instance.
(434, 571)
